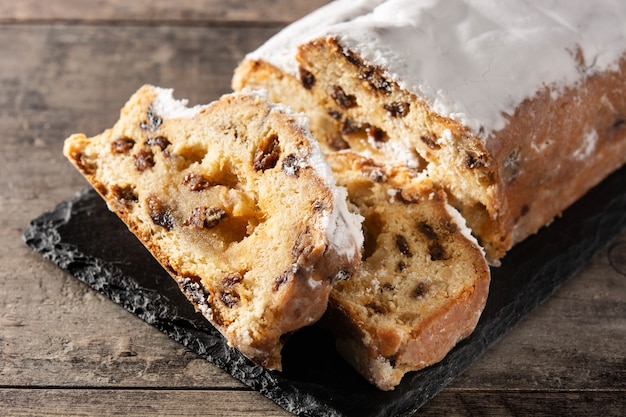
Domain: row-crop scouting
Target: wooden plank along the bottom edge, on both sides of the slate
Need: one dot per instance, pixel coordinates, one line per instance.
(98, 402)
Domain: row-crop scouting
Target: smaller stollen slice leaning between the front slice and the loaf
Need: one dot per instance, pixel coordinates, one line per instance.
(423, 281)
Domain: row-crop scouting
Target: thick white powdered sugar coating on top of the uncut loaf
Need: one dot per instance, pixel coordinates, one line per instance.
(473, 61)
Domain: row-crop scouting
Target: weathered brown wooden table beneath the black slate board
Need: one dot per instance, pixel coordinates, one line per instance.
(68, 66)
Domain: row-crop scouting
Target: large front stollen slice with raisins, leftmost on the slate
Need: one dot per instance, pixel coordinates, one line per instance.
(237, 203)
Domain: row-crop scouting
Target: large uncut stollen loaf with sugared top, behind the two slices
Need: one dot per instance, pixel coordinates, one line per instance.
(516, 109)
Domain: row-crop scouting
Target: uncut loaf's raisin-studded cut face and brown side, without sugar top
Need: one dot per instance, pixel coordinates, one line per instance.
(552, 151)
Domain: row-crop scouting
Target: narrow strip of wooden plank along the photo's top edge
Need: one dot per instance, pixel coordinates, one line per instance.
(182, 12)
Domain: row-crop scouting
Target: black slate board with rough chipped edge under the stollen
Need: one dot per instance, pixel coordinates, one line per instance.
(82, 237)
